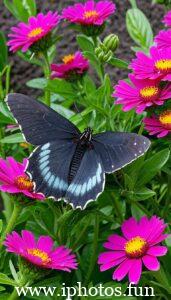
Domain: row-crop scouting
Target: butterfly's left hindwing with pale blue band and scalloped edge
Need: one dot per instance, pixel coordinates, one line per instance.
(49, 168)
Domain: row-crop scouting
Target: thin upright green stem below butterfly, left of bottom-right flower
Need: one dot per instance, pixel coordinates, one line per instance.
(94, 253)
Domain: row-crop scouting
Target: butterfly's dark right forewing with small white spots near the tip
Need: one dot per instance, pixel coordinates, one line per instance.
(117, 149)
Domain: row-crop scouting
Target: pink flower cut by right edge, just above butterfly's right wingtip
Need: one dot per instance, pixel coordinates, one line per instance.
(159, 125)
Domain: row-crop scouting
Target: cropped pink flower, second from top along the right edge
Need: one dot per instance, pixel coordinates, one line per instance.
(163, 39)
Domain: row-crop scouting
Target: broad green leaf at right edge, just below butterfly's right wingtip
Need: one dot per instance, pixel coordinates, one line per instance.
(151, 166)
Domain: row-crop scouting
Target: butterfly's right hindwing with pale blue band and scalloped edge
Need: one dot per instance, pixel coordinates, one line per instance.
(88, 182)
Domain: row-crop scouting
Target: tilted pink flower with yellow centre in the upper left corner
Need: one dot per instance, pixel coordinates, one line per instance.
(25, 35)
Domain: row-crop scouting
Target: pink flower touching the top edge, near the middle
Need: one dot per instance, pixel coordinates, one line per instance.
(89, 13)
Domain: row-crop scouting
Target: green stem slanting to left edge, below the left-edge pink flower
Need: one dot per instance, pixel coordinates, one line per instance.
(16, 211)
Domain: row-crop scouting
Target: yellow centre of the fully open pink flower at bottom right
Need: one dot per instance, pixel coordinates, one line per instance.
(136, 247)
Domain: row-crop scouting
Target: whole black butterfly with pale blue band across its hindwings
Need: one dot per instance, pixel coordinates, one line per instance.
(67, 163)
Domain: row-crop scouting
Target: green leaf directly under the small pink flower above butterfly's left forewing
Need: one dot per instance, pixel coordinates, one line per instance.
(61, 87)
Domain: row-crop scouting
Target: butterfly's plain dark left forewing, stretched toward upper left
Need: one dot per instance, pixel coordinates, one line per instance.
(39, 123)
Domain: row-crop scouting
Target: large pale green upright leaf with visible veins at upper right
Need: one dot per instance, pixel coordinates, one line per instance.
(139, 28)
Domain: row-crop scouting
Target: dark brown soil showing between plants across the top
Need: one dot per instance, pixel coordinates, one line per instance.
(23, 71)
